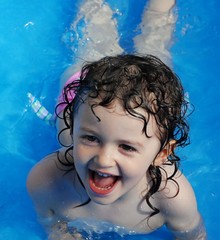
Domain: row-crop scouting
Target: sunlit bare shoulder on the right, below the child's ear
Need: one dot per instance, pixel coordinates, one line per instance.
(177, 202)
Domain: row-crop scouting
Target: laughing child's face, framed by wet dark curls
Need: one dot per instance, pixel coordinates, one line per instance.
(113, 155)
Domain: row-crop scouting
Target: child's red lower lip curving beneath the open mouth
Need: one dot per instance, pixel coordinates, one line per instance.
(101, 190)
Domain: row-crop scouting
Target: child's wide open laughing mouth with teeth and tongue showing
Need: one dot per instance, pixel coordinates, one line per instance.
(102, 183)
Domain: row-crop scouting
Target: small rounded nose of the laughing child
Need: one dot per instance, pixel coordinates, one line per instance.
(105, 158)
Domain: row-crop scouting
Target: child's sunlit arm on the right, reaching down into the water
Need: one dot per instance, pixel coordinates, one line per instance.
(180, 212)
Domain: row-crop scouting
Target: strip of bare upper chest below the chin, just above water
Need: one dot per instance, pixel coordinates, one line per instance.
(127, 216)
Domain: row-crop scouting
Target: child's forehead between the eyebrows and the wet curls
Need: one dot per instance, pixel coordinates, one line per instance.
(92, 114)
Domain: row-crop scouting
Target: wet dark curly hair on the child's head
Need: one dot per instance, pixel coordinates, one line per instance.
(137, 82)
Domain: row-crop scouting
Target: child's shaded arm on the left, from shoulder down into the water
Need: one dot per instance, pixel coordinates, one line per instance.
(44, 185)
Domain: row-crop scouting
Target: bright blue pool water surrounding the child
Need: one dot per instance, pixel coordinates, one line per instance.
(34, 52)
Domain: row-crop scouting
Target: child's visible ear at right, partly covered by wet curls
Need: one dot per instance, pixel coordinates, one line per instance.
(162, 156)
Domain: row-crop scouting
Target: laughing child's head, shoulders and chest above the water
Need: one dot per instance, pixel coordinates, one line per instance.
(126, 115)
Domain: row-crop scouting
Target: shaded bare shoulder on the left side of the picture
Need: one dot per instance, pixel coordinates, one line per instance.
(45, 182)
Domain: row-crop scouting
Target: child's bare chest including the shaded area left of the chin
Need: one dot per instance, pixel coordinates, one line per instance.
(133, 214)
